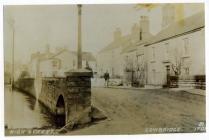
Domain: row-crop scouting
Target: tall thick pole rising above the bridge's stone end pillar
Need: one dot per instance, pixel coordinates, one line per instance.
(79, 49)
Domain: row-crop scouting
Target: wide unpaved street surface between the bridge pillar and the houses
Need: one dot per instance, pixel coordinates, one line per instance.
(137, 111)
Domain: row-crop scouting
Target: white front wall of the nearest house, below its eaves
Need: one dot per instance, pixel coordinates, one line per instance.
(175, 48)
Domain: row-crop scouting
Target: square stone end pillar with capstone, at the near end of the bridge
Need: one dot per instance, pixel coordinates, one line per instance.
(79, 96)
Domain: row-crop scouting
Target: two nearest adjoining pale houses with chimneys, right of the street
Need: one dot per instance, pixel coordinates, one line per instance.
(177, 50)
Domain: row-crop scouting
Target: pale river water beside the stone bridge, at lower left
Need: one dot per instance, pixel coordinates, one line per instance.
(24, 111)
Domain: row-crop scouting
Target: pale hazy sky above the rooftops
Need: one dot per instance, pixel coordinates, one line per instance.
(36, 26)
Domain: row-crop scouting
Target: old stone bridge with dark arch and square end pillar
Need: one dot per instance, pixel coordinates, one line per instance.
(69, 97)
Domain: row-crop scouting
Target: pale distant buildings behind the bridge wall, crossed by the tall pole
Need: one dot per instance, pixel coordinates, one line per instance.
(50, 64)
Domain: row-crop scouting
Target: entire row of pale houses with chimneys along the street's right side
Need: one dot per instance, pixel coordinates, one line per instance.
(146, 59)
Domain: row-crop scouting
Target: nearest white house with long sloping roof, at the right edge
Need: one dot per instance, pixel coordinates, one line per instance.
(177, 50)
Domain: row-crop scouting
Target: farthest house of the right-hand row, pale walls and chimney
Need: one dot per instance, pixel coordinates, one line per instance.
(109, 58)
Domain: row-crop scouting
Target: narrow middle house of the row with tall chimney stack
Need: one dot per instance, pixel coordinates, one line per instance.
(133, 56)
